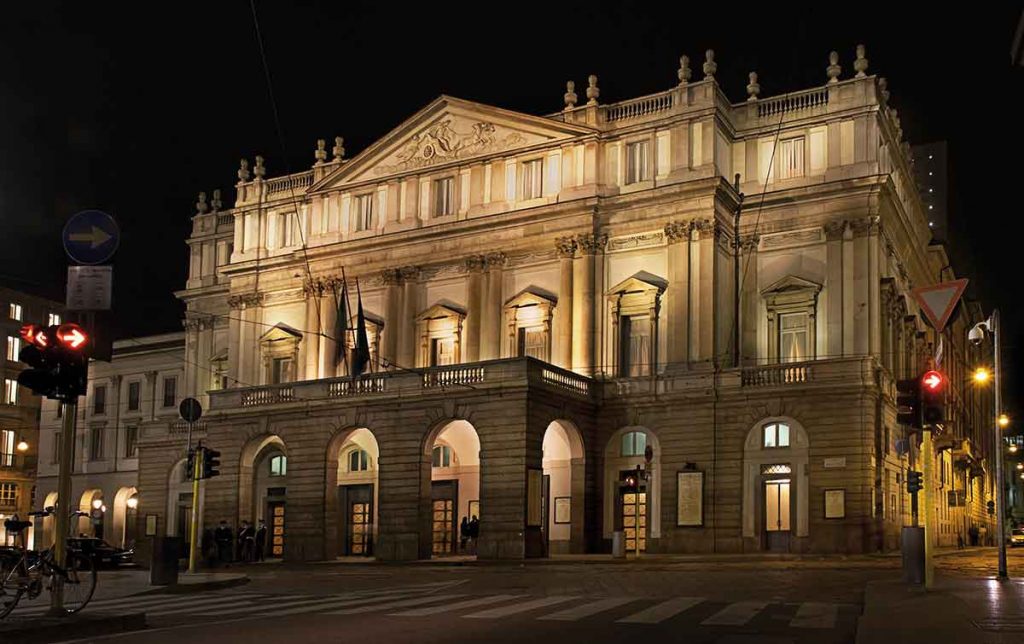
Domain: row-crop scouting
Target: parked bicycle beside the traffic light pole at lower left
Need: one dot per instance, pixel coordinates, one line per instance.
(25, 572)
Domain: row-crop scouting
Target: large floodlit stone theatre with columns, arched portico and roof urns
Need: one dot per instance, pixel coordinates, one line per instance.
(550, 305)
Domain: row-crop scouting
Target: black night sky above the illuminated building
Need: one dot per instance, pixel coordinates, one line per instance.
(135, 108)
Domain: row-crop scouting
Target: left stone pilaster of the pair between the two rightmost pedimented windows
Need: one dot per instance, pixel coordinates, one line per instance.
(677, 331)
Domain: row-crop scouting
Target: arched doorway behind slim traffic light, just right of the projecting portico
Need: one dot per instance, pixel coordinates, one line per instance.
(634, 510)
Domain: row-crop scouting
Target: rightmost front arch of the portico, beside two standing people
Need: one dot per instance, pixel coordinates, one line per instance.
(454, 457)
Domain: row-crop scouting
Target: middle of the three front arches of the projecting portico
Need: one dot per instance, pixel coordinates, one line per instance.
(354, 460)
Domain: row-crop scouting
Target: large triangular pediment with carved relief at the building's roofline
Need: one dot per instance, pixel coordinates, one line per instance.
(449, 132)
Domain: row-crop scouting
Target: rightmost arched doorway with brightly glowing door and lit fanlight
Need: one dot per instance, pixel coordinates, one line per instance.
(776, 486)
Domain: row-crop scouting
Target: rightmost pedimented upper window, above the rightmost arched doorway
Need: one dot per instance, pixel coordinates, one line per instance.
(792, 307)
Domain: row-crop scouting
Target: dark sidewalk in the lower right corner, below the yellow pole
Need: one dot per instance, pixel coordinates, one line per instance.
(959, 610)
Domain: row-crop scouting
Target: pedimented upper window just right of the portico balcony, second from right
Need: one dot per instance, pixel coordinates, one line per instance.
(635, 306)
